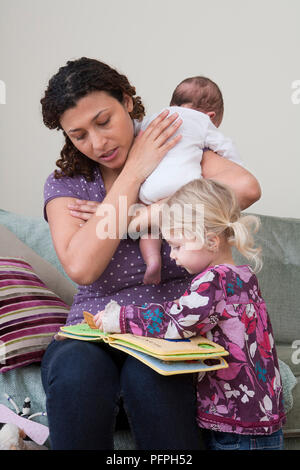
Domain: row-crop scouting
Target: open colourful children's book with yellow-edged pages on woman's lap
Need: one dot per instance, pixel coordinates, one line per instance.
(166, 356)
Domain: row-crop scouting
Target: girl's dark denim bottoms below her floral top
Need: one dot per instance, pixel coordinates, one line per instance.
(229, 441)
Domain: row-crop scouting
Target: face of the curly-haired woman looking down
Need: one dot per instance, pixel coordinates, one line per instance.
(101, 128)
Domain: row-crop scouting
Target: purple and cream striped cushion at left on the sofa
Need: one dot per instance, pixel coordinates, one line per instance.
(30, 314)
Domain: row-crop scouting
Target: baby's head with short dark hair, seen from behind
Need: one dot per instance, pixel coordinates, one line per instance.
(201, 94)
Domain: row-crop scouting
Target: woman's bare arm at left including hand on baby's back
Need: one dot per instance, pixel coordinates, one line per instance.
(83, 251)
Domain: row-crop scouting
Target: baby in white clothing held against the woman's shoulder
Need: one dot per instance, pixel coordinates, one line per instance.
(199, 103)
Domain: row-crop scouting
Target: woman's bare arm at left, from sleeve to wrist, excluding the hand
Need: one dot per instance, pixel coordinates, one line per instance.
(84, 255)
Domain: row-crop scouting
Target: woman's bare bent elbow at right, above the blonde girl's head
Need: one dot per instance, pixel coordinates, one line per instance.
(244, 184)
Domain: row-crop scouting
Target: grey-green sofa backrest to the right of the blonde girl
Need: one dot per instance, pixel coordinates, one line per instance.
(280, 276)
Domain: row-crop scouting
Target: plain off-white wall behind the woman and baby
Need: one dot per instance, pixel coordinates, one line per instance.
(251, 49)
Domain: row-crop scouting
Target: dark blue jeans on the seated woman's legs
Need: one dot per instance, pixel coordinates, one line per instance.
(85, 384)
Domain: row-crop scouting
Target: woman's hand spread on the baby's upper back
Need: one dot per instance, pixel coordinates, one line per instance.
(151, 145)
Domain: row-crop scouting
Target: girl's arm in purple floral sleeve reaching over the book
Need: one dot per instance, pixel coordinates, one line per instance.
(194, 313)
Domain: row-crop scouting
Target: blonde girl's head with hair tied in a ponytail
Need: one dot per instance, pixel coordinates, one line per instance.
(204, 219)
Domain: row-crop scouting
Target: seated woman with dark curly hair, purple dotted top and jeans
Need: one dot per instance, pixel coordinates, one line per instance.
(86, 383)
